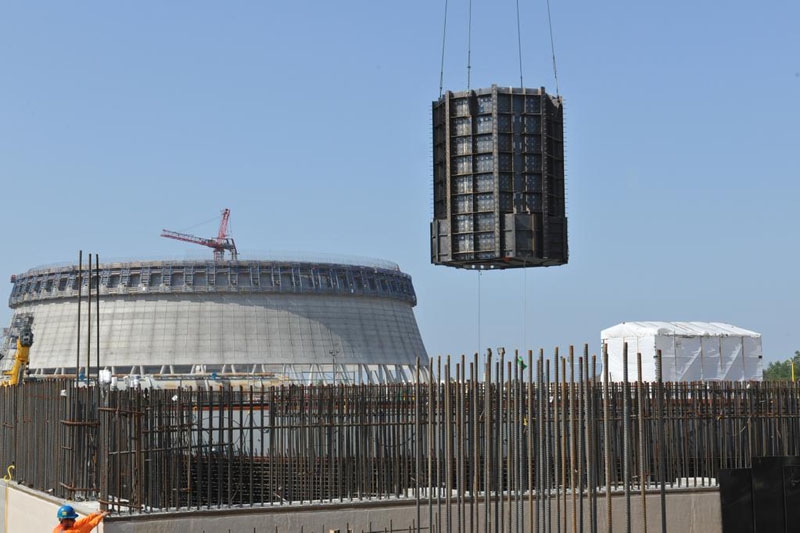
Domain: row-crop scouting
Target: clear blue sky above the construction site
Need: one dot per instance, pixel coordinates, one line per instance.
(311, 122)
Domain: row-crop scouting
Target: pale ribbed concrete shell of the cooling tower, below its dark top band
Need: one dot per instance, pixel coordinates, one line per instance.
(238, 329)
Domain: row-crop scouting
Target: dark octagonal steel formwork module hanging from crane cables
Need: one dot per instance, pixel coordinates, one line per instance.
(498, 179)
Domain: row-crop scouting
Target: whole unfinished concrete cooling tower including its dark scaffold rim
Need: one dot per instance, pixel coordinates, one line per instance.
(303, 321)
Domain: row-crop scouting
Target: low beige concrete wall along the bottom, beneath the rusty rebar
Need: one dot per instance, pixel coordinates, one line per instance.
(688, 511)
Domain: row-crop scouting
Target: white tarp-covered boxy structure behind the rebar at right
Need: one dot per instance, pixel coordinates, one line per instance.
(690, 351)
